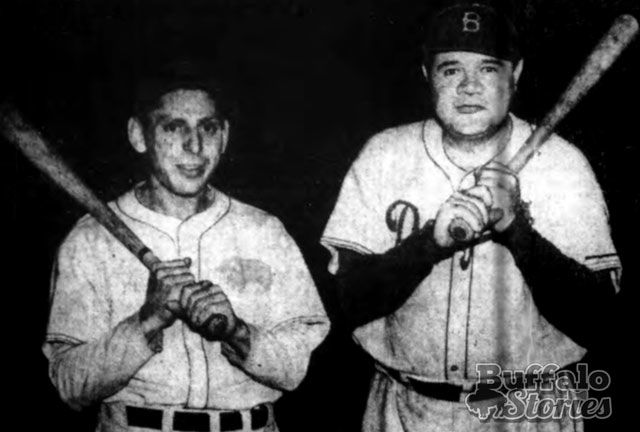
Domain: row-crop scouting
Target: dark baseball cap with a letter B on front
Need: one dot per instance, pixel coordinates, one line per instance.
(474, 26)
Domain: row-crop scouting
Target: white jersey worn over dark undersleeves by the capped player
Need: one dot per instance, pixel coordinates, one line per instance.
(474, 307)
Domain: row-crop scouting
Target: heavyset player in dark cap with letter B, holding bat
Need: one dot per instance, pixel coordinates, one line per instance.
(430, 309)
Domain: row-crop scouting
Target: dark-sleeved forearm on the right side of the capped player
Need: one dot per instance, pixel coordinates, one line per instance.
(568, 294)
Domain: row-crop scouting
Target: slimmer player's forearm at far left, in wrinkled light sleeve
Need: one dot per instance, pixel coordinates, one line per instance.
(90, 372)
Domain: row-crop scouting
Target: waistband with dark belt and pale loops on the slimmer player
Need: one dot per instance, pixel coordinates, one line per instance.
(177, 418)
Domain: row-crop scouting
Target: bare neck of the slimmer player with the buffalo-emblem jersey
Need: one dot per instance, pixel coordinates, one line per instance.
(153, 195)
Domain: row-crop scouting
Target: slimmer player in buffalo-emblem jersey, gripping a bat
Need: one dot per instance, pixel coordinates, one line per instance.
(143, 345)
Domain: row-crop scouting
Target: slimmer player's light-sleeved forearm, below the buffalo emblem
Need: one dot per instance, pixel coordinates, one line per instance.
(278, 357)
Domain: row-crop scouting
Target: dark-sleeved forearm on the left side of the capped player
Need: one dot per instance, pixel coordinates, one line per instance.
(376, 285)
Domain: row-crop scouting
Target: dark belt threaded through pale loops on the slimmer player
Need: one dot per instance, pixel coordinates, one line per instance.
(196, 421)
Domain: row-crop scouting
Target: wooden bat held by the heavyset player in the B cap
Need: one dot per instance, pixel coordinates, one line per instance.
(608, 49)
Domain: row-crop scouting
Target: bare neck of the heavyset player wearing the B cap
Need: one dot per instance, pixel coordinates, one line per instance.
(470, 152)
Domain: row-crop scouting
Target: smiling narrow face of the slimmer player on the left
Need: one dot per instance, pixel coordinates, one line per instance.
(184, 139)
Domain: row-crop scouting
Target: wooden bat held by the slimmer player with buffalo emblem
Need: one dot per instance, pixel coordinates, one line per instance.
(38, 150)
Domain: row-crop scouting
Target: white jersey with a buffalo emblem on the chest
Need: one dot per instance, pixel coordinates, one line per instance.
(98, 287)
